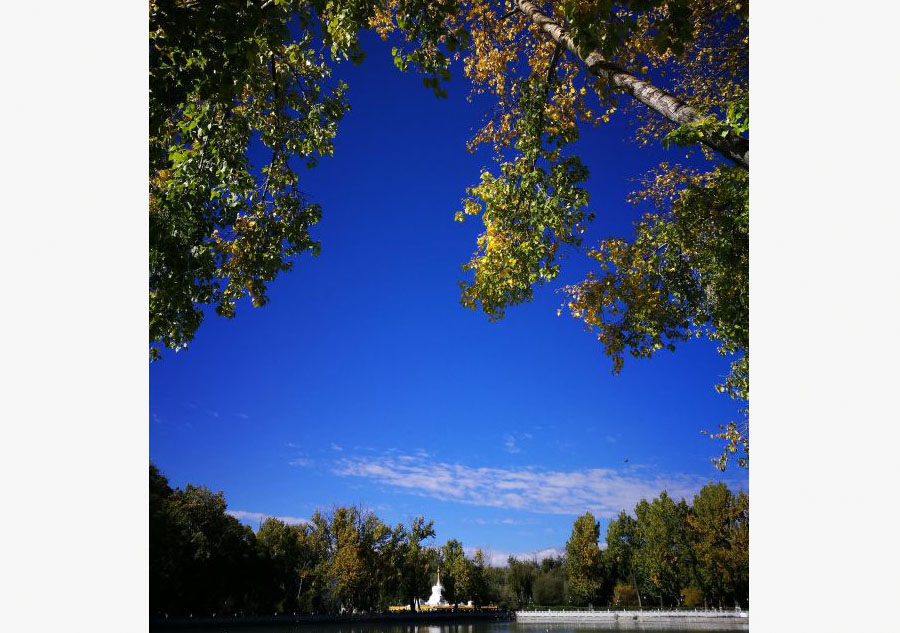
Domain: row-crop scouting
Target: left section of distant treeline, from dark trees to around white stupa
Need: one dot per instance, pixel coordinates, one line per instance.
(203, 560)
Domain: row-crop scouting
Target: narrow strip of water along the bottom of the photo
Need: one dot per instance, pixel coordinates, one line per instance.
(483, 627)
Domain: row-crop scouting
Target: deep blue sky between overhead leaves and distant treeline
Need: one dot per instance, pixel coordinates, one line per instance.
(365, 381)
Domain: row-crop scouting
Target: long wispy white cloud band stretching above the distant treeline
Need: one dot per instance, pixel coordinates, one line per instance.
(603, 491)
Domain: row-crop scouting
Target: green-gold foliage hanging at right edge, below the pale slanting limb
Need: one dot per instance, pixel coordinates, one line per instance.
(685, 275)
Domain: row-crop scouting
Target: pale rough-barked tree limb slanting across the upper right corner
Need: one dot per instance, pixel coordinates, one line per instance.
(734, 147)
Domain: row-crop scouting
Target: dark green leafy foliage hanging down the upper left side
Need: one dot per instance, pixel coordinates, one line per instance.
(224, 74)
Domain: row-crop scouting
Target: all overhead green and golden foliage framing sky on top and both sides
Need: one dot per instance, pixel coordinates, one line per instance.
(229, 75)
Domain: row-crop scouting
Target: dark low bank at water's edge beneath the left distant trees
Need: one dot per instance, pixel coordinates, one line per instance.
(404, 617)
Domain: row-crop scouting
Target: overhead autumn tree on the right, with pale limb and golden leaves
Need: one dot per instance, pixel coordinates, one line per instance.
(684, 274)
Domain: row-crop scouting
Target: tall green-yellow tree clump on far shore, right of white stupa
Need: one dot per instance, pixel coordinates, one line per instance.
(670, 553)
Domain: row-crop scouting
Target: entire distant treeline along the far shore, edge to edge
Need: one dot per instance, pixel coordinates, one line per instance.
(204, 561)
